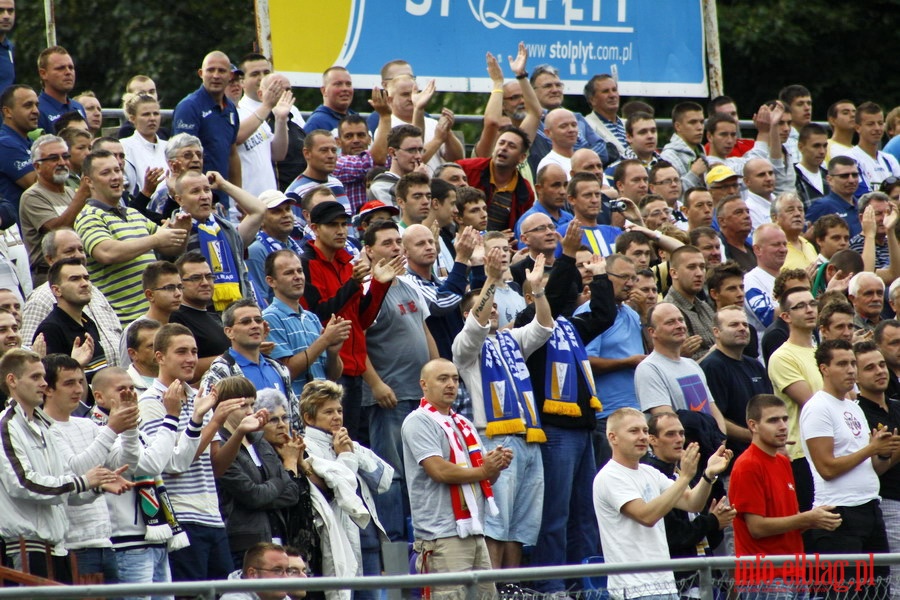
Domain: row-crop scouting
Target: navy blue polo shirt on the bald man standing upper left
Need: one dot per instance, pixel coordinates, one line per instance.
(200, 115)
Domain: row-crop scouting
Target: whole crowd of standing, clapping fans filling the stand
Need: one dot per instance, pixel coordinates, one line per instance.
(251, 345)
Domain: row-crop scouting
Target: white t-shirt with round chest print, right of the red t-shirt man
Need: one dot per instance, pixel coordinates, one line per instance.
(826, 416)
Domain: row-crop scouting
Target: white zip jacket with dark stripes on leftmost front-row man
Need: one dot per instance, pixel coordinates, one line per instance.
(34, 483)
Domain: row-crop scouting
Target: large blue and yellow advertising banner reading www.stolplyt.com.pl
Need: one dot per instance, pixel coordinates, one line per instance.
(654, 47)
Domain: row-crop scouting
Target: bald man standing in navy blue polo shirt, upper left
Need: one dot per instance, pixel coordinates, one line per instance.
(208, 114)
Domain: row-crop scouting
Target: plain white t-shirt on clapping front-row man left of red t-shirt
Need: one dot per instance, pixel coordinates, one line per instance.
(623, 538)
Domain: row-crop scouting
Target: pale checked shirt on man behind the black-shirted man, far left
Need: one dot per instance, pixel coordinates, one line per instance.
(41, 302)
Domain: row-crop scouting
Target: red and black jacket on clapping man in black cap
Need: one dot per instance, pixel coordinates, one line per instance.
(331, 290)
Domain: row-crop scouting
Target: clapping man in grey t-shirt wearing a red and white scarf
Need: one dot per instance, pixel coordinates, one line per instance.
(449, 481)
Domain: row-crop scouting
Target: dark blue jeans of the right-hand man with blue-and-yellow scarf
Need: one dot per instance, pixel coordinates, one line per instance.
(568, 528)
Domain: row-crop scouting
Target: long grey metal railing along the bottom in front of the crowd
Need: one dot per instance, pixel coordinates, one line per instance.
(707, 568)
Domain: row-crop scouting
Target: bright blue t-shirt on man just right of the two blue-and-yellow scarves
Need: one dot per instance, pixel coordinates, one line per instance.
(621, 340)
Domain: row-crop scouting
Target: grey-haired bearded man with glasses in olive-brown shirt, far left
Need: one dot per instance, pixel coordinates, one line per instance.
(48, 204)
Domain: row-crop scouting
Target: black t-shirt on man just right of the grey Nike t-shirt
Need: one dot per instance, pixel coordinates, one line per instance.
(732, 384)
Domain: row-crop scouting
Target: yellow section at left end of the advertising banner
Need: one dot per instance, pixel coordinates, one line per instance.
(308, 35)
